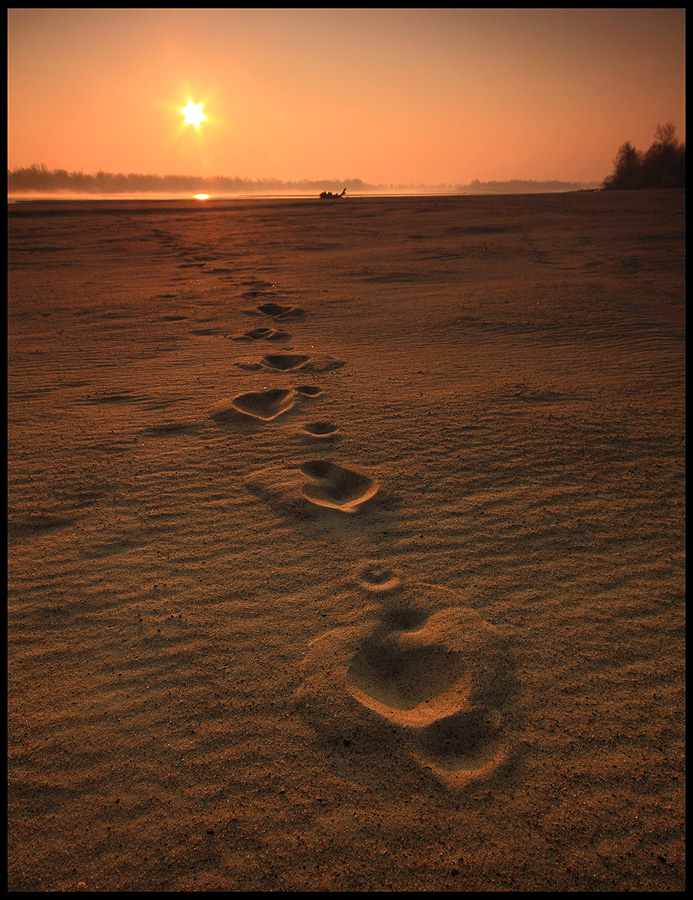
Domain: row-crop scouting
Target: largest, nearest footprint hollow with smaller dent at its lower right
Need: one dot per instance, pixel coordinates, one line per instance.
(444, 682)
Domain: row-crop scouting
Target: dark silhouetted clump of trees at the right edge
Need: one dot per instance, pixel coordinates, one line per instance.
(662, 166)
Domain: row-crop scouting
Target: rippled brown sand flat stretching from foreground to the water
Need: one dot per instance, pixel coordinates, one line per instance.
(346, 544)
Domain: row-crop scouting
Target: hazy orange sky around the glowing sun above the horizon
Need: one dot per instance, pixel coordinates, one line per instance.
(406, 96)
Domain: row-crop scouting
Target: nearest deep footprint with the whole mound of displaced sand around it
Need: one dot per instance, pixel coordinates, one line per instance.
(440, 682)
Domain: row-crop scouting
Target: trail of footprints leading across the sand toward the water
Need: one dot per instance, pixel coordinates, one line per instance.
(425, 668)
